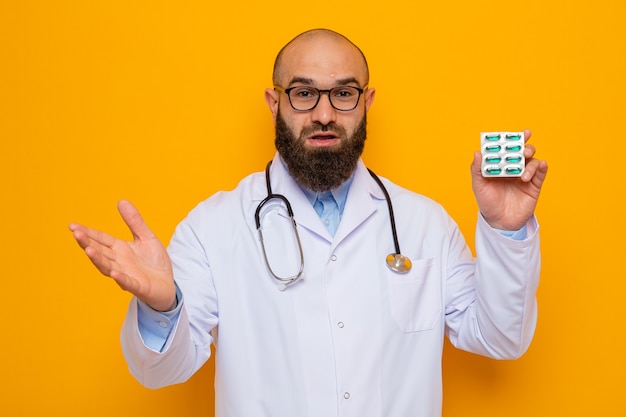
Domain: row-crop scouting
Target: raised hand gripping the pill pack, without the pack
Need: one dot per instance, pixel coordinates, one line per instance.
(508, 203)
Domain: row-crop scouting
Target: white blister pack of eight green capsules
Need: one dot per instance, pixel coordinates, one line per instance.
(502, 154)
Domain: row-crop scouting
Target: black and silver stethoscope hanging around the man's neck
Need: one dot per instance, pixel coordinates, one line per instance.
(395, 261)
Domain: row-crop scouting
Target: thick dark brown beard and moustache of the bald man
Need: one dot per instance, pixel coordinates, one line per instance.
(324, 168)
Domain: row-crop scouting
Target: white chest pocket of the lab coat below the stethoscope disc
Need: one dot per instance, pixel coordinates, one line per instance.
(415, 297)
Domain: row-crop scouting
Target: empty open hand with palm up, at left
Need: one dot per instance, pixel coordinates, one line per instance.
(141, 267)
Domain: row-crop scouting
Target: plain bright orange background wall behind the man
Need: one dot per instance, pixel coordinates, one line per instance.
(162, 103)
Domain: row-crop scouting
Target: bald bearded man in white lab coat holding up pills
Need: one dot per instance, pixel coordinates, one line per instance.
(317, 324)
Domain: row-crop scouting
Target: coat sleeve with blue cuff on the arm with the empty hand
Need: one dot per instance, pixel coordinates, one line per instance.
(165, 349)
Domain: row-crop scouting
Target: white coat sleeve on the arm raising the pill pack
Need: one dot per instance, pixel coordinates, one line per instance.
(491, 306)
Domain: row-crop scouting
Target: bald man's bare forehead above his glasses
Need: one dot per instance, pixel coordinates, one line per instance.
(322, 59)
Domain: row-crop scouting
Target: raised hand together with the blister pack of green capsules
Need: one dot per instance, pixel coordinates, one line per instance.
(507, 178)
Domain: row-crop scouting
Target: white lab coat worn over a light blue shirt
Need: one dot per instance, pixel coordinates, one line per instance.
(352, 338)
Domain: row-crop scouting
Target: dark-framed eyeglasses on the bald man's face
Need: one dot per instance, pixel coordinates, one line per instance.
(302, 98)
